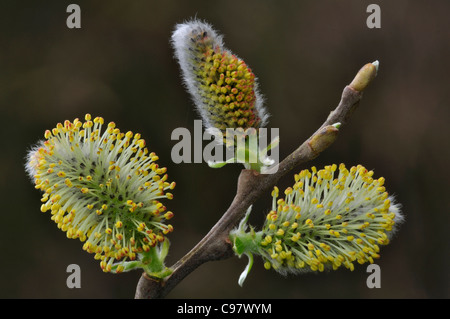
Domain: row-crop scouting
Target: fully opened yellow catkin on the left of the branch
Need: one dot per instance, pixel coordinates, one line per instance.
(103, 188)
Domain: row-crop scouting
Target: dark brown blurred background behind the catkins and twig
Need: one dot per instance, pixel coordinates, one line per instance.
(120, 65)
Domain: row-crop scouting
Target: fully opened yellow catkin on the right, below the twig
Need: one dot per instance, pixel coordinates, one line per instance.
(324, 221)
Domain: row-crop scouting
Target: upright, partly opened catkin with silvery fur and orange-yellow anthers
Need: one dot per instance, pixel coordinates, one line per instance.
(223, 87)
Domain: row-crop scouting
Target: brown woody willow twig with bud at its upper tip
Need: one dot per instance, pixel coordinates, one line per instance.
(251, 185)
